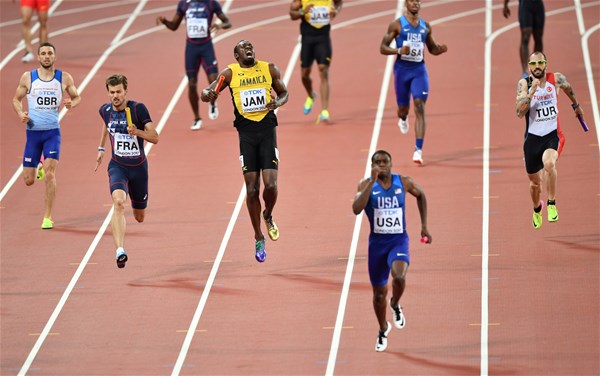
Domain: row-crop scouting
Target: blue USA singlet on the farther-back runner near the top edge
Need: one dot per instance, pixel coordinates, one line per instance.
(415, 38)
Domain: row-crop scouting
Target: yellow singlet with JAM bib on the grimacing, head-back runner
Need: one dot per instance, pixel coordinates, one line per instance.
(251, 90)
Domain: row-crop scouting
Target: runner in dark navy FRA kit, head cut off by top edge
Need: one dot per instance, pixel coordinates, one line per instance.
(199, 50)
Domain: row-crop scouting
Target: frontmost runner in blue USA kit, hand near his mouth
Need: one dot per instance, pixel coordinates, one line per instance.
(382, 197)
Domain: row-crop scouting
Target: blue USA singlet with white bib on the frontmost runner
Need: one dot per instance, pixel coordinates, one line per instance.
(385, 211)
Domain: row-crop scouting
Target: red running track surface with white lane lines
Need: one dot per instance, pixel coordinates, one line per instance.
(279, 317)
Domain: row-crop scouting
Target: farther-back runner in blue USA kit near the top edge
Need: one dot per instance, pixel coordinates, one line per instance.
(412, 35)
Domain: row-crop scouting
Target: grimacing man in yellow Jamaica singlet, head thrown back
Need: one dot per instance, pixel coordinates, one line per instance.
(251, 83)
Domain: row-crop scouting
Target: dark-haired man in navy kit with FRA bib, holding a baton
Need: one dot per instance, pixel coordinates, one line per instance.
(128, 168)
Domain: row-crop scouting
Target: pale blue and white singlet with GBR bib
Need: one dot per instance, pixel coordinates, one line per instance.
(43, 101)
